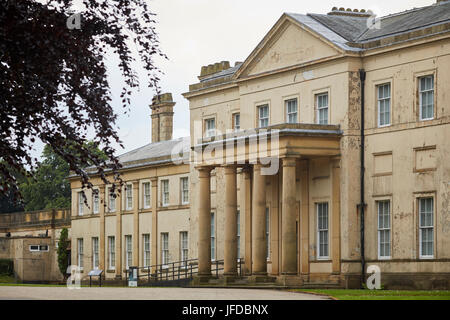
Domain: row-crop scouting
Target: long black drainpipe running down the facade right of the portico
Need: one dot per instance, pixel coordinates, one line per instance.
(362, 77)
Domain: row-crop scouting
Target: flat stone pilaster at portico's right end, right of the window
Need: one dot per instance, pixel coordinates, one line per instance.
(336, 216)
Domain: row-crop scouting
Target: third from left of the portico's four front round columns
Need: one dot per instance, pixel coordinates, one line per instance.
(259, 254)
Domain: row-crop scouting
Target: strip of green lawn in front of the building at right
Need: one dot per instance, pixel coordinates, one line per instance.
(382, 294)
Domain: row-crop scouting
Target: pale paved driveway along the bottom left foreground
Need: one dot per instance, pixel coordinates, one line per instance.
(107, 293)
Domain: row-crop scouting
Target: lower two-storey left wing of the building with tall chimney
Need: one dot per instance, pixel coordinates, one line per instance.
(147, 222)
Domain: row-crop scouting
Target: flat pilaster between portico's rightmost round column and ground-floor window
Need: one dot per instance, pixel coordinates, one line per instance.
(304, 219)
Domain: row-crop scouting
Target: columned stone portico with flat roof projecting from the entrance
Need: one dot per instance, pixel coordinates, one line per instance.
(277, 157)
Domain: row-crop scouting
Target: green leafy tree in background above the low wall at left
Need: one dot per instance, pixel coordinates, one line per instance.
(49, 187)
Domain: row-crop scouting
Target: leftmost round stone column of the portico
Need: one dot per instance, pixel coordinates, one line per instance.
(204, 221)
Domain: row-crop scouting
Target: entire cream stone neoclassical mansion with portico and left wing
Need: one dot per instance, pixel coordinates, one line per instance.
(325, 152)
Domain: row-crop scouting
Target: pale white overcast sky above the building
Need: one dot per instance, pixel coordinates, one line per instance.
(194, 33)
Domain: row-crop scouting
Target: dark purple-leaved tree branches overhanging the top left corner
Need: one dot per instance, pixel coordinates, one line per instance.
(53, 79)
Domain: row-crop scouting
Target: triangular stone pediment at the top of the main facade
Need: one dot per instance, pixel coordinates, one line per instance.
(287, 44)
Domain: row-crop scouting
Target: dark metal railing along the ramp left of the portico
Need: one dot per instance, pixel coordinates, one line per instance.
(179, 270)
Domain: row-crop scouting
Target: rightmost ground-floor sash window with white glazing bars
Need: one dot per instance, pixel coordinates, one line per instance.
(426, 228)
